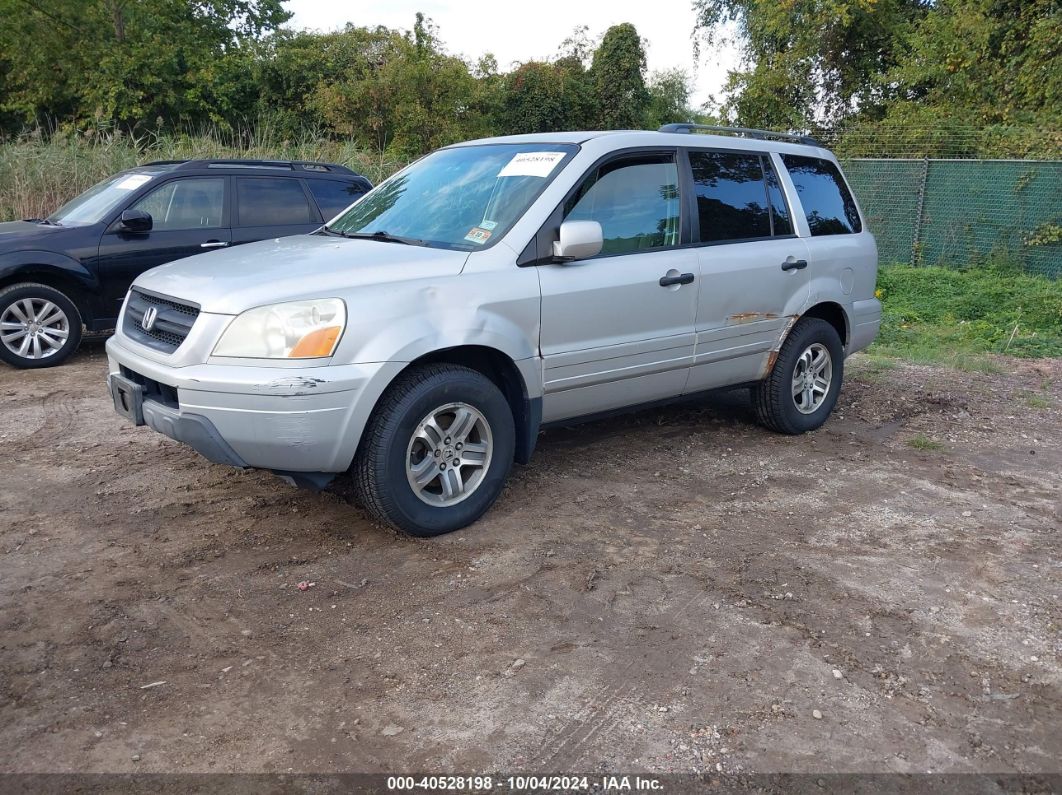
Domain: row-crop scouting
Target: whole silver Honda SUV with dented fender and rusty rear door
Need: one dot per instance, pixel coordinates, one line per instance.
(422, 338)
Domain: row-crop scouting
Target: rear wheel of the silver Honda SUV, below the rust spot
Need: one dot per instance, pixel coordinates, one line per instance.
(801, 390)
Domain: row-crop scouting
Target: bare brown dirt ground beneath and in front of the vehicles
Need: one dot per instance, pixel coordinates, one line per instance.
(671, 592)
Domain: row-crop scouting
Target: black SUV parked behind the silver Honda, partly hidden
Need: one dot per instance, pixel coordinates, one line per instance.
(75, 268)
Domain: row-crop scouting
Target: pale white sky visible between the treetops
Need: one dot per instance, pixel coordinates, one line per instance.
(535, 30)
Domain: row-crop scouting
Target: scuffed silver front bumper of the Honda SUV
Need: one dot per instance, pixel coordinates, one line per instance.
(294, 420)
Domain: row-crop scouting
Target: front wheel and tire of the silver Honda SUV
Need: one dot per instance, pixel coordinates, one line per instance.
(437, 452)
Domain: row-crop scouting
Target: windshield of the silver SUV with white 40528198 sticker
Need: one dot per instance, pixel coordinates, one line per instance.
(465, 198)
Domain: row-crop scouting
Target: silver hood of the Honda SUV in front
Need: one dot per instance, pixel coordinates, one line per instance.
(232, 281)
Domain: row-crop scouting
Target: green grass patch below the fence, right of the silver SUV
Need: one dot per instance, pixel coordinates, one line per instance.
(960, 318)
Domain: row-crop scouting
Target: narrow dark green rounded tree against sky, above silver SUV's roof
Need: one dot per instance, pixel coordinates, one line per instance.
(619, 72)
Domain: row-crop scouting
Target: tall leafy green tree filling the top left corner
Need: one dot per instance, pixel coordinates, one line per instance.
(126, 62)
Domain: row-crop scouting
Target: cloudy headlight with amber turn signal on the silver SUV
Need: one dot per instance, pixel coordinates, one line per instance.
(299, 330)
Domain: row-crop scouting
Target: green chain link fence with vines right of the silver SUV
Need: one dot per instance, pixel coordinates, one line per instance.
(958, 197)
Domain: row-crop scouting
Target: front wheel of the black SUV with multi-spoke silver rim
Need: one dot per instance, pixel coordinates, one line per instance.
(40, 326)
